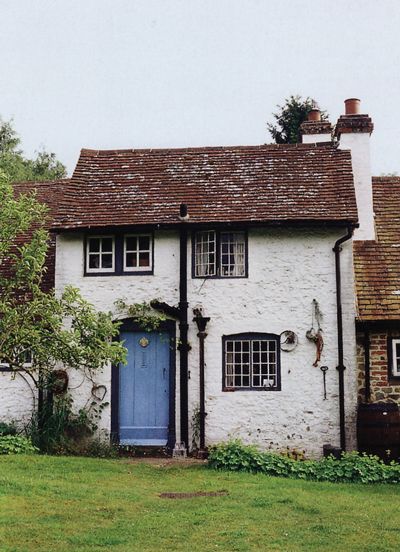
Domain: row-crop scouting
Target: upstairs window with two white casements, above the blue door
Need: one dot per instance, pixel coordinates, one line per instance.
(119, 254)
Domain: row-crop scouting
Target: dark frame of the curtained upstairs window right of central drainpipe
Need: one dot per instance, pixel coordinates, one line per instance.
(218, 253)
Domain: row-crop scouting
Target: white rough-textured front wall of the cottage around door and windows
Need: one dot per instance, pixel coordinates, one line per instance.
(287, 270)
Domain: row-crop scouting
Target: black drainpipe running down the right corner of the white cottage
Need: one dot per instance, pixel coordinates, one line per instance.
(340, 367)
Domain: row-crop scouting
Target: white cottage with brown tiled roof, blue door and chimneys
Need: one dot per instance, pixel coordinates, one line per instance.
(248, 253)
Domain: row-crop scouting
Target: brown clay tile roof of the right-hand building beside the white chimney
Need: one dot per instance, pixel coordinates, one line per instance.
(377, 263)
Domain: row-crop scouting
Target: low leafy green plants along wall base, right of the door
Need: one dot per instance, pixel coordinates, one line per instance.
(352, 467)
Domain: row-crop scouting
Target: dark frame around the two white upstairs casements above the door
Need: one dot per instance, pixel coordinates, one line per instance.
(118, 254)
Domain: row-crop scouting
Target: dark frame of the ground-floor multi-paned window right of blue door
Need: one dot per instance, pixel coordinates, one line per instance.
(252, 336)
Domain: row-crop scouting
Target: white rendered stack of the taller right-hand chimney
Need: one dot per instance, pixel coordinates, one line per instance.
(359, 144)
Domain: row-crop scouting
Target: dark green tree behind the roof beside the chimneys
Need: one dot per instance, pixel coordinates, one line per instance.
(289, 118)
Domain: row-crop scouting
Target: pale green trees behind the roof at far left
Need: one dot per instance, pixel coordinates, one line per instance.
(44, 166)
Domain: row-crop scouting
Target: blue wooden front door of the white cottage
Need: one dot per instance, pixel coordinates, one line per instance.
(144, 389)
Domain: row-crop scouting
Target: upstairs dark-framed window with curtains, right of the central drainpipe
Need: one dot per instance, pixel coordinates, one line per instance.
(220, 254)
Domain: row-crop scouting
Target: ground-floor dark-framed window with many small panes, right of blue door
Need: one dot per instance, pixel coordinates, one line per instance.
(251, 361)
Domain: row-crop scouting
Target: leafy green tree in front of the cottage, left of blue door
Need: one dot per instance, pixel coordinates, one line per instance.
(41, 331)
